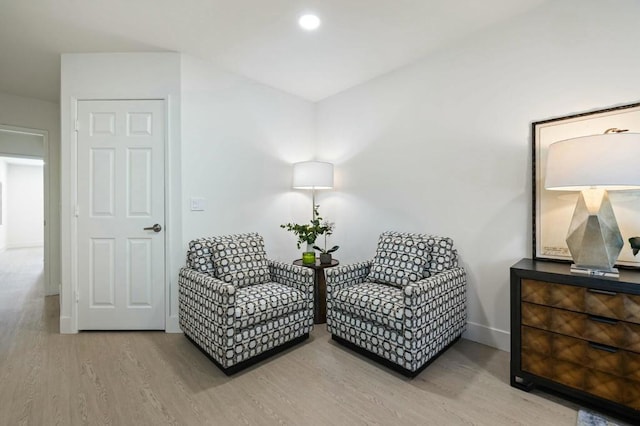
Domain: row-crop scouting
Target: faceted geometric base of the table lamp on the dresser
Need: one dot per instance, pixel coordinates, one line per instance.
(594, 238)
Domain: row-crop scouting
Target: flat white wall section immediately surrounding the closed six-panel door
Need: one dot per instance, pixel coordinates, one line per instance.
(120, 76)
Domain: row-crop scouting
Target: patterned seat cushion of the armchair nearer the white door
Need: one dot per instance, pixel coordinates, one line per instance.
(258, 303)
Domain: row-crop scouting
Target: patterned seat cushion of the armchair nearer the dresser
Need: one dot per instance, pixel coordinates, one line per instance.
(380, 303)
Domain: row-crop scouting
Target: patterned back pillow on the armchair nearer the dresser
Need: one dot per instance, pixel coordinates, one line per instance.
(399, 260)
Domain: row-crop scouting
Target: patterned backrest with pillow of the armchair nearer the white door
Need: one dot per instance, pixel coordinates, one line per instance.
(238, 259)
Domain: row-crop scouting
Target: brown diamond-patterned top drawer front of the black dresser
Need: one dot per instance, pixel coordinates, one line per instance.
(609, 304)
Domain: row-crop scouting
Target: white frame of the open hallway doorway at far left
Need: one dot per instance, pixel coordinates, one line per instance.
(50, 224)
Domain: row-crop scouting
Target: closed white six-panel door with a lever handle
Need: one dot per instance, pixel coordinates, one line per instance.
(121, 282)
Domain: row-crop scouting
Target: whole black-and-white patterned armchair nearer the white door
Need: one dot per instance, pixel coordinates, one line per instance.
(237, 306)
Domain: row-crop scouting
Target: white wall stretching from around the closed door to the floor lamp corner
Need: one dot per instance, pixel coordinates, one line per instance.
(233, 146)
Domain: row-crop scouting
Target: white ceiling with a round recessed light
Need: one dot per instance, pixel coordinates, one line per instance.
(260, 39)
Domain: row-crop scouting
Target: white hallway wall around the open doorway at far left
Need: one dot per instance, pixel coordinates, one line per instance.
(18, 111)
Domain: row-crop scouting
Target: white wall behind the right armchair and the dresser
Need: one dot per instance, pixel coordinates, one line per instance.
(444, 146)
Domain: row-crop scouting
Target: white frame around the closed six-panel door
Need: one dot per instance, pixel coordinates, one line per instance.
(170, 234)
